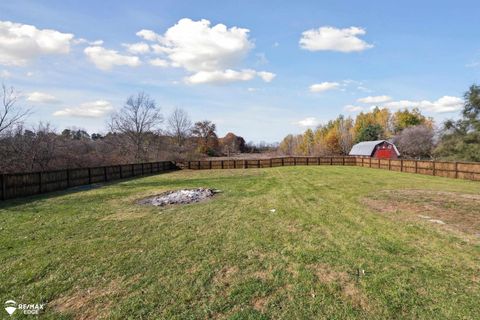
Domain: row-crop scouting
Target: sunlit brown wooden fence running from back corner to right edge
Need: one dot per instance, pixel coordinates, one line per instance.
(462, 170)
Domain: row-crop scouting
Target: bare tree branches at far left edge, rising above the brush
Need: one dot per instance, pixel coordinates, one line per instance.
(10, 114)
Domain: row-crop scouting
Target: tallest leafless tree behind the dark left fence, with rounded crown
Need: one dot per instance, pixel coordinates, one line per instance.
(137, 120)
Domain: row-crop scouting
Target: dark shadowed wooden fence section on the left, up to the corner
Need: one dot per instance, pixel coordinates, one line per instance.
(24, 184)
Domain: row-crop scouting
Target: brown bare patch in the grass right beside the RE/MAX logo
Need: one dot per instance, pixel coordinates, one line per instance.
(85, 304)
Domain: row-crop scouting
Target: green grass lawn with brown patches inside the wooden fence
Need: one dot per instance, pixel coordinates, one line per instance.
(97, 254)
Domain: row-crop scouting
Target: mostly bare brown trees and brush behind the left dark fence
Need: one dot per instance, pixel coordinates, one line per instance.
(136, 133)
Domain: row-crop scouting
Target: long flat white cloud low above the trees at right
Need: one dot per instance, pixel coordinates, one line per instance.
(442, 105)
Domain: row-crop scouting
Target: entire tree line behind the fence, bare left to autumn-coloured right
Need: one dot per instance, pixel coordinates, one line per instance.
(138, 132)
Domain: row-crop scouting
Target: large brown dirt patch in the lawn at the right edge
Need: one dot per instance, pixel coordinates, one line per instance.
(458, 211)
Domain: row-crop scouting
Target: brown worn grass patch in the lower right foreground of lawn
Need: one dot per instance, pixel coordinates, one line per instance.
(342, 280)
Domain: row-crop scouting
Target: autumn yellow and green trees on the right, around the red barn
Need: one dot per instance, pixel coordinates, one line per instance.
(415, 135)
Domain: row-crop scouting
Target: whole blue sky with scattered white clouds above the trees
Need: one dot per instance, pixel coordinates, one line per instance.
(262, 83)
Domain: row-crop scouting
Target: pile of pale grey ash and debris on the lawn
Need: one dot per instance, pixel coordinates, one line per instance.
(183, 196)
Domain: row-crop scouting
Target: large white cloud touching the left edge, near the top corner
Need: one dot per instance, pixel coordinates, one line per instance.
(21, 43)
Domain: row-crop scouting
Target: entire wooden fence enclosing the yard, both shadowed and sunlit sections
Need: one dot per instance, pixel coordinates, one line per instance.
(24, 184)
